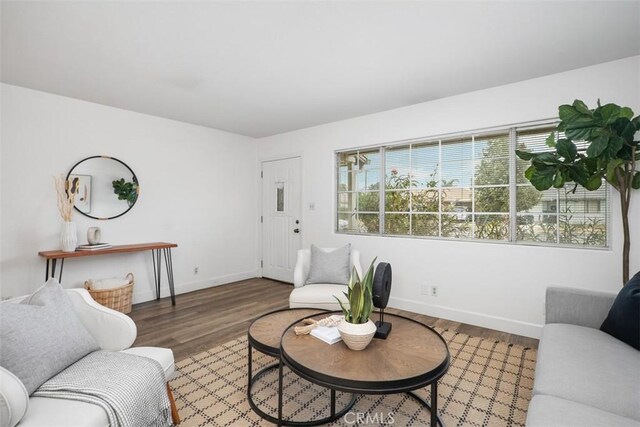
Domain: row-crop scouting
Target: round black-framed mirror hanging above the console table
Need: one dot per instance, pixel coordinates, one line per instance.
(107, 187)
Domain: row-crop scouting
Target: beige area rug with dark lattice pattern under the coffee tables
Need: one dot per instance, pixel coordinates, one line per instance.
(488, 384)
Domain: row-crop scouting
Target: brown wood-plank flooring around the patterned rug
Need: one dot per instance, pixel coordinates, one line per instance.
(204, 319)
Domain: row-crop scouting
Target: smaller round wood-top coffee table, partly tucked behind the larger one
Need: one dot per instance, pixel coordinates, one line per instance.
(264, 335)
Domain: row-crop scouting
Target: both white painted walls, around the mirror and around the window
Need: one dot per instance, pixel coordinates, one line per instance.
(199, 188)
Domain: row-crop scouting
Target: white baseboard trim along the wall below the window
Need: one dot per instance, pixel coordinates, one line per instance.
(473, 318)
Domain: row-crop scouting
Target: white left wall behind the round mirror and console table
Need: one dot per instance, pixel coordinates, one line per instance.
(198, 189)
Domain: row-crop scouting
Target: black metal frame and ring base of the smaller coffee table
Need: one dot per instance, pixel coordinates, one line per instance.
(252, 343)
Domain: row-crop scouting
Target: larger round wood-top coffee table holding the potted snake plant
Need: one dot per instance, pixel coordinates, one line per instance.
(412, 357)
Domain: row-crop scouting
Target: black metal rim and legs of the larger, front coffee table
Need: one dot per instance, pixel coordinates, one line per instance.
(359, 387)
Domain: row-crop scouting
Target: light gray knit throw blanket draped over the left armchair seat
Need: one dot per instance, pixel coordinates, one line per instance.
(131, 389)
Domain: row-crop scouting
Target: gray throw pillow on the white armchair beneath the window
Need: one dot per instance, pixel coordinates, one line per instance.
(330, 266)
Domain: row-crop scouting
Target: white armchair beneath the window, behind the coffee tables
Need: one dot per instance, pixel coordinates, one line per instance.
(318, 295)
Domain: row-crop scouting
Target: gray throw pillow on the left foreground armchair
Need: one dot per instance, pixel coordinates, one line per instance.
(42, 336)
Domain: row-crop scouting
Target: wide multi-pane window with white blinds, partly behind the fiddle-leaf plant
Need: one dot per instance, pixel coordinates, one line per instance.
(468, 187)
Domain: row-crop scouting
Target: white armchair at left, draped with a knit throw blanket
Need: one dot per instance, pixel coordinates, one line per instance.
(113, 331)
